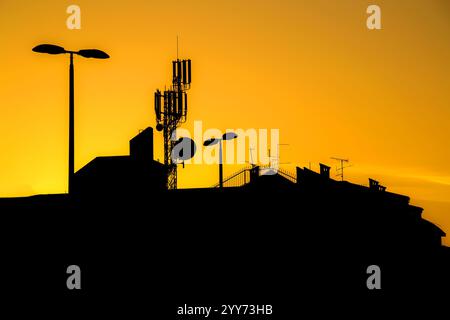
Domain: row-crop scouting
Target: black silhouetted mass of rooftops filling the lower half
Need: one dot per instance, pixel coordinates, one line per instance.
(263, 236)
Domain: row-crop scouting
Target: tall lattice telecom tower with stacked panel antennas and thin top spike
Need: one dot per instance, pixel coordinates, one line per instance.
(171, 112)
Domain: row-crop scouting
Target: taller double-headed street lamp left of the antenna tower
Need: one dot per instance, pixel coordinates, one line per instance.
(87, 53)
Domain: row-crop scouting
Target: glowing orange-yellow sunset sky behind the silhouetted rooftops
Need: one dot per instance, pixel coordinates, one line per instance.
(308, 68)
